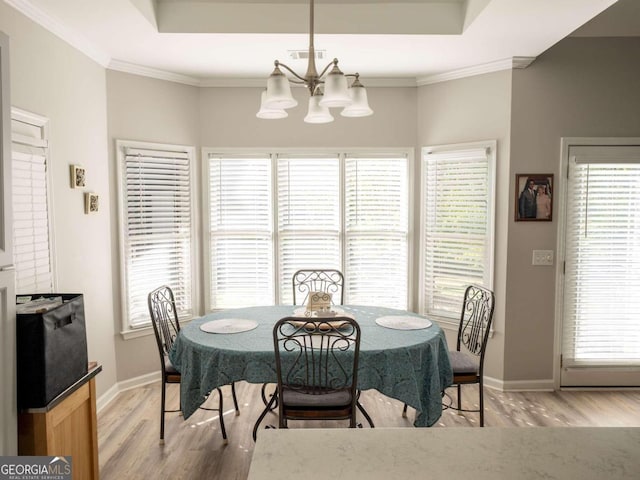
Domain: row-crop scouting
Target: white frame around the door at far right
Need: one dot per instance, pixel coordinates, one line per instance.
(561, 199)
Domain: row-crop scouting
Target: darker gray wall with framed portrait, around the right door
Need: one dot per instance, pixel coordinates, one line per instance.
(582, 87)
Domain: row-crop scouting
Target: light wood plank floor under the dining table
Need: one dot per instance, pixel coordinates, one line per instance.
(128, 428)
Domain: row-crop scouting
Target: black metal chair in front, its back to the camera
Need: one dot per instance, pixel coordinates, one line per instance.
(317, 369)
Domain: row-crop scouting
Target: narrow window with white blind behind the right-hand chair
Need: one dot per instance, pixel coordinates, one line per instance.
(457, 224)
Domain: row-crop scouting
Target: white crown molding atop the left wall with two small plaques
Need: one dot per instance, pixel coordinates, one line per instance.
(54, 26)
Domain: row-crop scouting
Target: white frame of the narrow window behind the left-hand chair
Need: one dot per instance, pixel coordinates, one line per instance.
(128, 331)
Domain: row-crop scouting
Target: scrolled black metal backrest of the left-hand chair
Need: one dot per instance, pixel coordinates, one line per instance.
(164, 317)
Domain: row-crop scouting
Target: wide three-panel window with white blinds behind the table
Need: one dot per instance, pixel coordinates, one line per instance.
(326, 211)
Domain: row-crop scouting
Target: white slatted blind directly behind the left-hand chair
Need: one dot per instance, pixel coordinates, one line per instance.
(157, 228)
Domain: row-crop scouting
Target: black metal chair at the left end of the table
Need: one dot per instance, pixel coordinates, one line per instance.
(164, 318)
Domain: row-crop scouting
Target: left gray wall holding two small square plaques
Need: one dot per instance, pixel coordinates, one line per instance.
(52, 79)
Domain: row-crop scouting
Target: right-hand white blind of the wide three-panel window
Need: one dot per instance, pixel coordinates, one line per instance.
(376, 231)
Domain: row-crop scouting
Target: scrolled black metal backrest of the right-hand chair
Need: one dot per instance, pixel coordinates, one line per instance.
(475, 319)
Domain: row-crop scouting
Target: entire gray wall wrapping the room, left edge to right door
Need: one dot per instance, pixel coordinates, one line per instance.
(580, 87)
